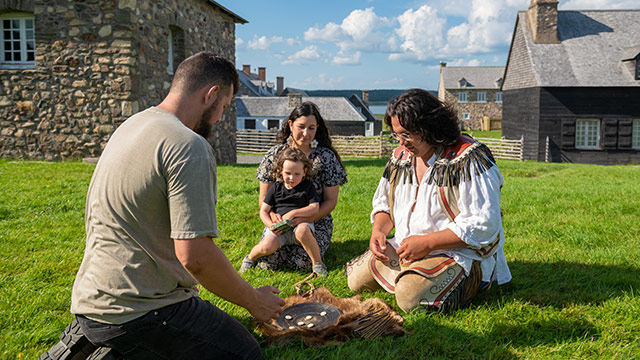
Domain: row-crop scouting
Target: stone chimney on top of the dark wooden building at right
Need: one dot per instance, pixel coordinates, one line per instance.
(543, 21)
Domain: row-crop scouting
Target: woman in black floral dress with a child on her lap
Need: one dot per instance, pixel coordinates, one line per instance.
(305, 130)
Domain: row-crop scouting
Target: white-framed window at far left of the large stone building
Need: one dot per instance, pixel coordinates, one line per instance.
(23, 40)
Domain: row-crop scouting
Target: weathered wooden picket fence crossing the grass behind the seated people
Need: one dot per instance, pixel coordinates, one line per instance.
(356, 146)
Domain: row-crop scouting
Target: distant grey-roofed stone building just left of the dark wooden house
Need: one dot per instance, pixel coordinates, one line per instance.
(475, 91)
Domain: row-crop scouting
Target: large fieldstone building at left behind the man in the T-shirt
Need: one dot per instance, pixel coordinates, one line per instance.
(72, 71)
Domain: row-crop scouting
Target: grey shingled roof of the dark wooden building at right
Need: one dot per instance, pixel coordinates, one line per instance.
(592, 46)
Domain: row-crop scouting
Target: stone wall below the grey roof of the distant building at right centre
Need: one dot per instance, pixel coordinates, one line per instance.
(475, 109)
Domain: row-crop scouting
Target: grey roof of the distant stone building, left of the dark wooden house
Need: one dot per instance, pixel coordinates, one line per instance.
(477, 77)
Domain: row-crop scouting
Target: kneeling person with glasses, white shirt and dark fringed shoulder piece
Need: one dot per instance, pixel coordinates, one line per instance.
(440, 191)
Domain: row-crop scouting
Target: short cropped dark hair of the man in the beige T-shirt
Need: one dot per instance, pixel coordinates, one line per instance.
(204, 69)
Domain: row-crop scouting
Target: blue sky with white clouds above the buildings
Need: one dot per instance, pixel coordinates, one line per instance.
(378, 44)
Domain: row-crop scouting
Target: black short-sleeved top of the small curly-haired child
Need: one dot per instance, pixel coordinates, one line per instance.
(283, 200)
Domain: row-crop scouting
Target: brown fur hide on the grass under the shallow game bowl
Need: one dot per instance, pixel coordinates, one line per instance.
(360, 319)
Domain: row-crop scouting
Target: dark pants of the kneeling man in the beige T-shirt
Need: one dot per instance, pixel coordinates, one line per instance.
(192, 329)
